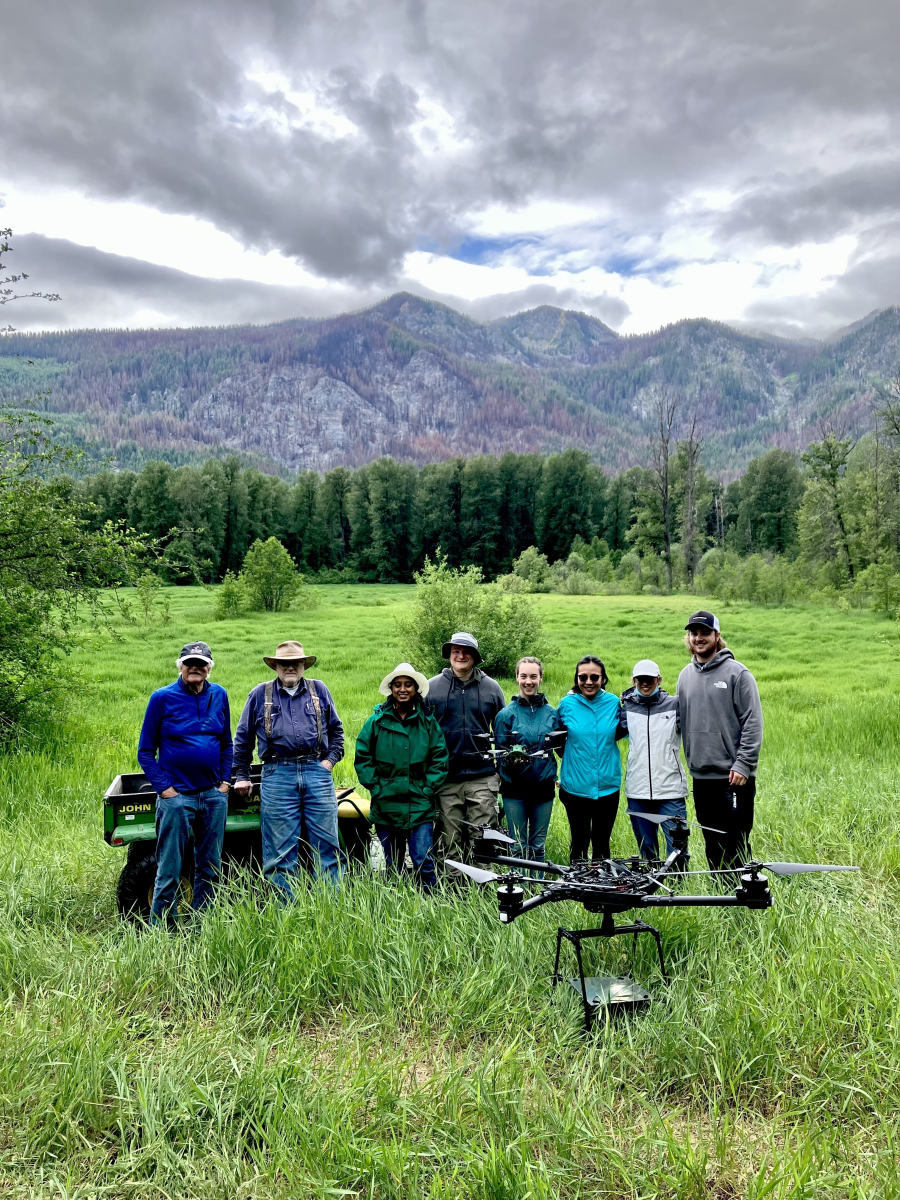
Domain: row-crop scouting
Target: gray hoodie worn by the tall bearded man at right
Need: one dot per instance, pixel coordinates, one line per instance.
(722, 718)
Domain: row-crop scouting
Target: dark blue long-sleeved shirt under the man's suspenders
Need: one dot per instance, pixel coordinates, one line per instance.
(293, 728)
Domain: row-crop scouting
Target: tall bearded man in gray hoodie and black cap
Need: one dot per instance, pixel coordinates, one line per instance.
(722, 730)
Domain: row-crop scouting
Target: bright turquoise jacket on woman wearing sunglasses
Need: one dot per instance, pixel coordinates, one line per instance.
(592, 765)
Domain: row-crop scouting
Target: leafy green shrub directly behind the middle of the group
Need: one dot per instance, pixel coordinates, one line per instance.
(448, 601)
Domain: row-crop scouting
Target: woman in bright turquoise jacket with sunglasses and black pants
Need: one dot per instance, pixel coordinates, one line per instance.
(591, 776)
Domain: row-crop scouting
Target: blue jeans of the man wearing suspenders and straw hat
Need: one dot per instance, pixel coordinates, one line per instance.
(298, 802)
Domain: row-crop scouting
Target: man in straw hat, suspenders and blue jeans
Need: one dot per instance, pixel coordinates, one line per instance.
(299, 739)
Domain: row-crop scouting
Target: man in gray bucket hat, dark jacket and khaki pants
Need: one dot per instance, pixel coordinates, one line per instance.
(466, 704)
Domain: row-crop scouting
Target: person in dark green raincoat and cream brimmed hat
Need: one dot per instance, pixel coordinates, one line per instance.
(403, 760)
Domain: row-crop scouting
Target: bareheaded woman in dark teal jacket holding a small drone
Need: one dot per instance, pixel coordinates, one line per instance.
(529, 787)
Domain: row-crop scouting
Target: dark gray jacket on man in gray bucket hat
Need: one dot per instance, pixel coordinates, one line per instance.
(464, 710)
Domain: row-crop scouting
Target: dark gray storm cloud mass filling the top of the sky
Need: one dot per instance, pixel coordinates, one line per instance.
(633, 109)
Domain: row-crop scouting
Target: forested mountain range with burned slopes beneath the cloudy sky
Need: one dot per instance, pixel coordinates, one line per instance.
(421, 382)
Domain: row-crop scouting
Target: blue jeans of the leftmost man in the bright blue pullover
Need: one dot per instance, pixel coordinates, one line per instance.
(206, 813)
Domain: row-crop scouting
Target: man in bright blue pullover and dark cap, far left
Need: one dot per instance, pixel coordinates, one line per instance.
(185, 752)
